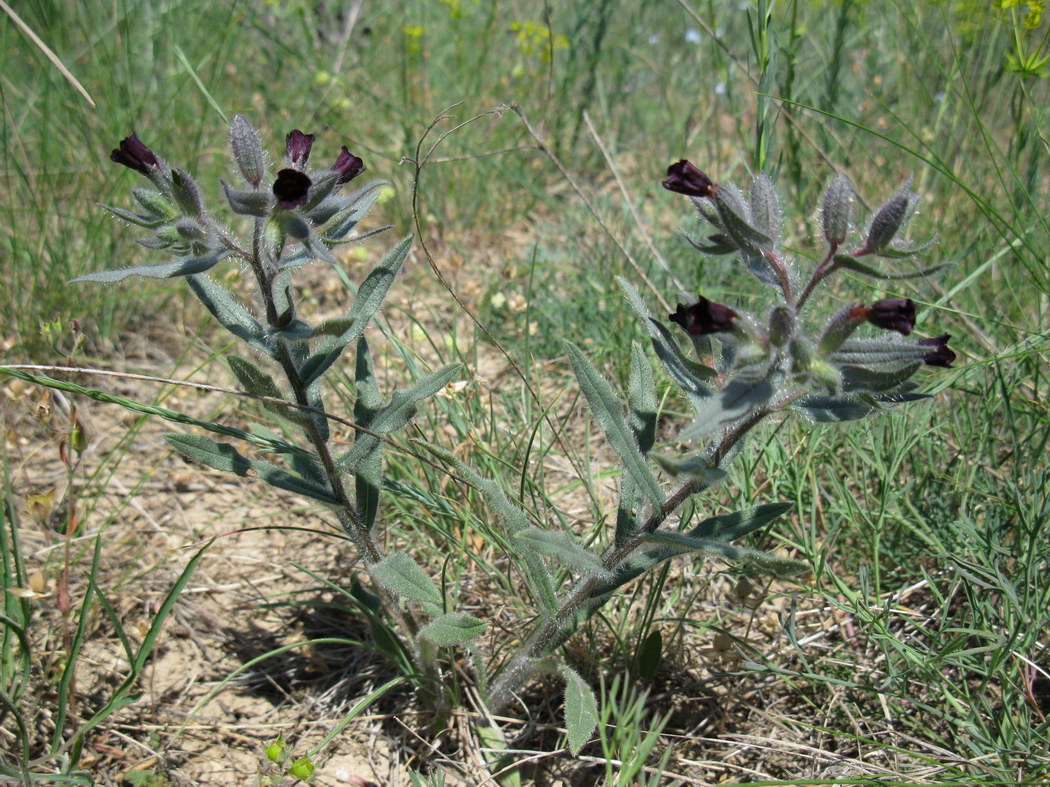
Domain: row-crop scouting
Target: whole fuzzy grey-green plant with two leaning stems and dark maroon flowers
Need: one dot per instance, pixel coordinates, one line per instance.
(743, 371)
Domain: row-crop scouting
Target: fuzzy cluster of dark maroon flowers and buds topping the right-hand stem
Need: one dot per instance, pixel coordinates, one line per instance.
(832, 375)
